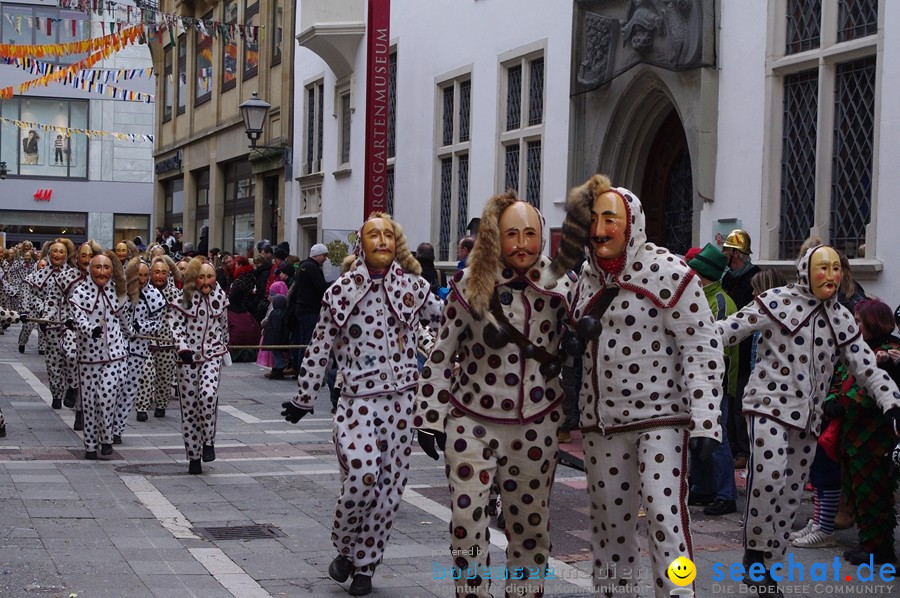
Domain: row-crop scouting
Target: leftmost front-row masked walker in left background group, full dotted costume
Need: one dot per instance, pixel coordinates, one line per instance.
(98, 309)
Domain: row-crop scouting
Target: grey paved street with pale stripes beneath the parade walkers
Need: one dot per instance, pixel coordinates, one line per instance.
(132, 526)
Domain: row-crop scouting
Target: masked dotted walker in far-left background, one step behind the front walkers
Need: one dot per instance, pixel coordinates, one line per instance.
(52, 282)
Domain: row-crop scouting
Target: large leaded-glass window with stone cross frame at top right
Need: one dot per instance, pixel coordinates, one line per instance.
(827, 106)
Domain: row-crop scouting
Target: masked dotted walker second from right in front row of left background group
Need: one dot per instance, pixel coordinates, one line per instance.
(143, 316)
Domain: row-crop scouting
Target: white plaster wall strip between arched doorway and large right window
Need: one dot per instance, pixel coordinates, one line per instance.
(741, 119)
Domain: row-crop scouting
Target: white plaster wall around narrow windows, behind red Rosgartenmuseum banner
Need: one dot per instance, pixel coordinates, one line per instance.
(434, 38)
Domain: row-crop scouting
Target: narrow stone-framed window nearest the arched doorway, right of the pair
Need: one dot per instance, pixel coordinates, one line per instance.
(522, 126)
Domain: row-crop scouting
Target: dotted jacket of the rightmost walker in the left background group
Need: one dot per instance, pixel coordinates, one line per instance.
(203, 326)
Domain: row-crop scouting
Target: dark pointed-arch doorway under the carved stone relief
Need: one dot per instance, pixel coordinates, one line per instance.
(667, 190)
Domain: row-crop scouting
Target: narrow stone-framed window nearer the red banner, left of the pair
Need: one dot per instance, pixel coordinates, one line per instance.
(452, 160)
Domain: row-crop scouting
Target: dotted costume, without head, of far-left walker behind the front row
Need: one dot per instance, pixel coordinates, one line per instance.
(53, 283)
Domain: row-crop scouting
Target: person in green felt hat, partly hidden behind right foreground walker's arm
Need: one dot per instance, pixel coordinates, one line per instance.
(712, 480)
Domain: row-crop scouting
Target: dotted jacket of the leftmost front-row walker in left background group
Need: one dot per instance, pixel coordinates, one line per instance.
(94, 306)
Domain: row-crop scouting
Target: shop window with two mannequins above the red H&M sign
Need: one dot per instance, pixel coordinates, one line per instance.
(32, 150)
